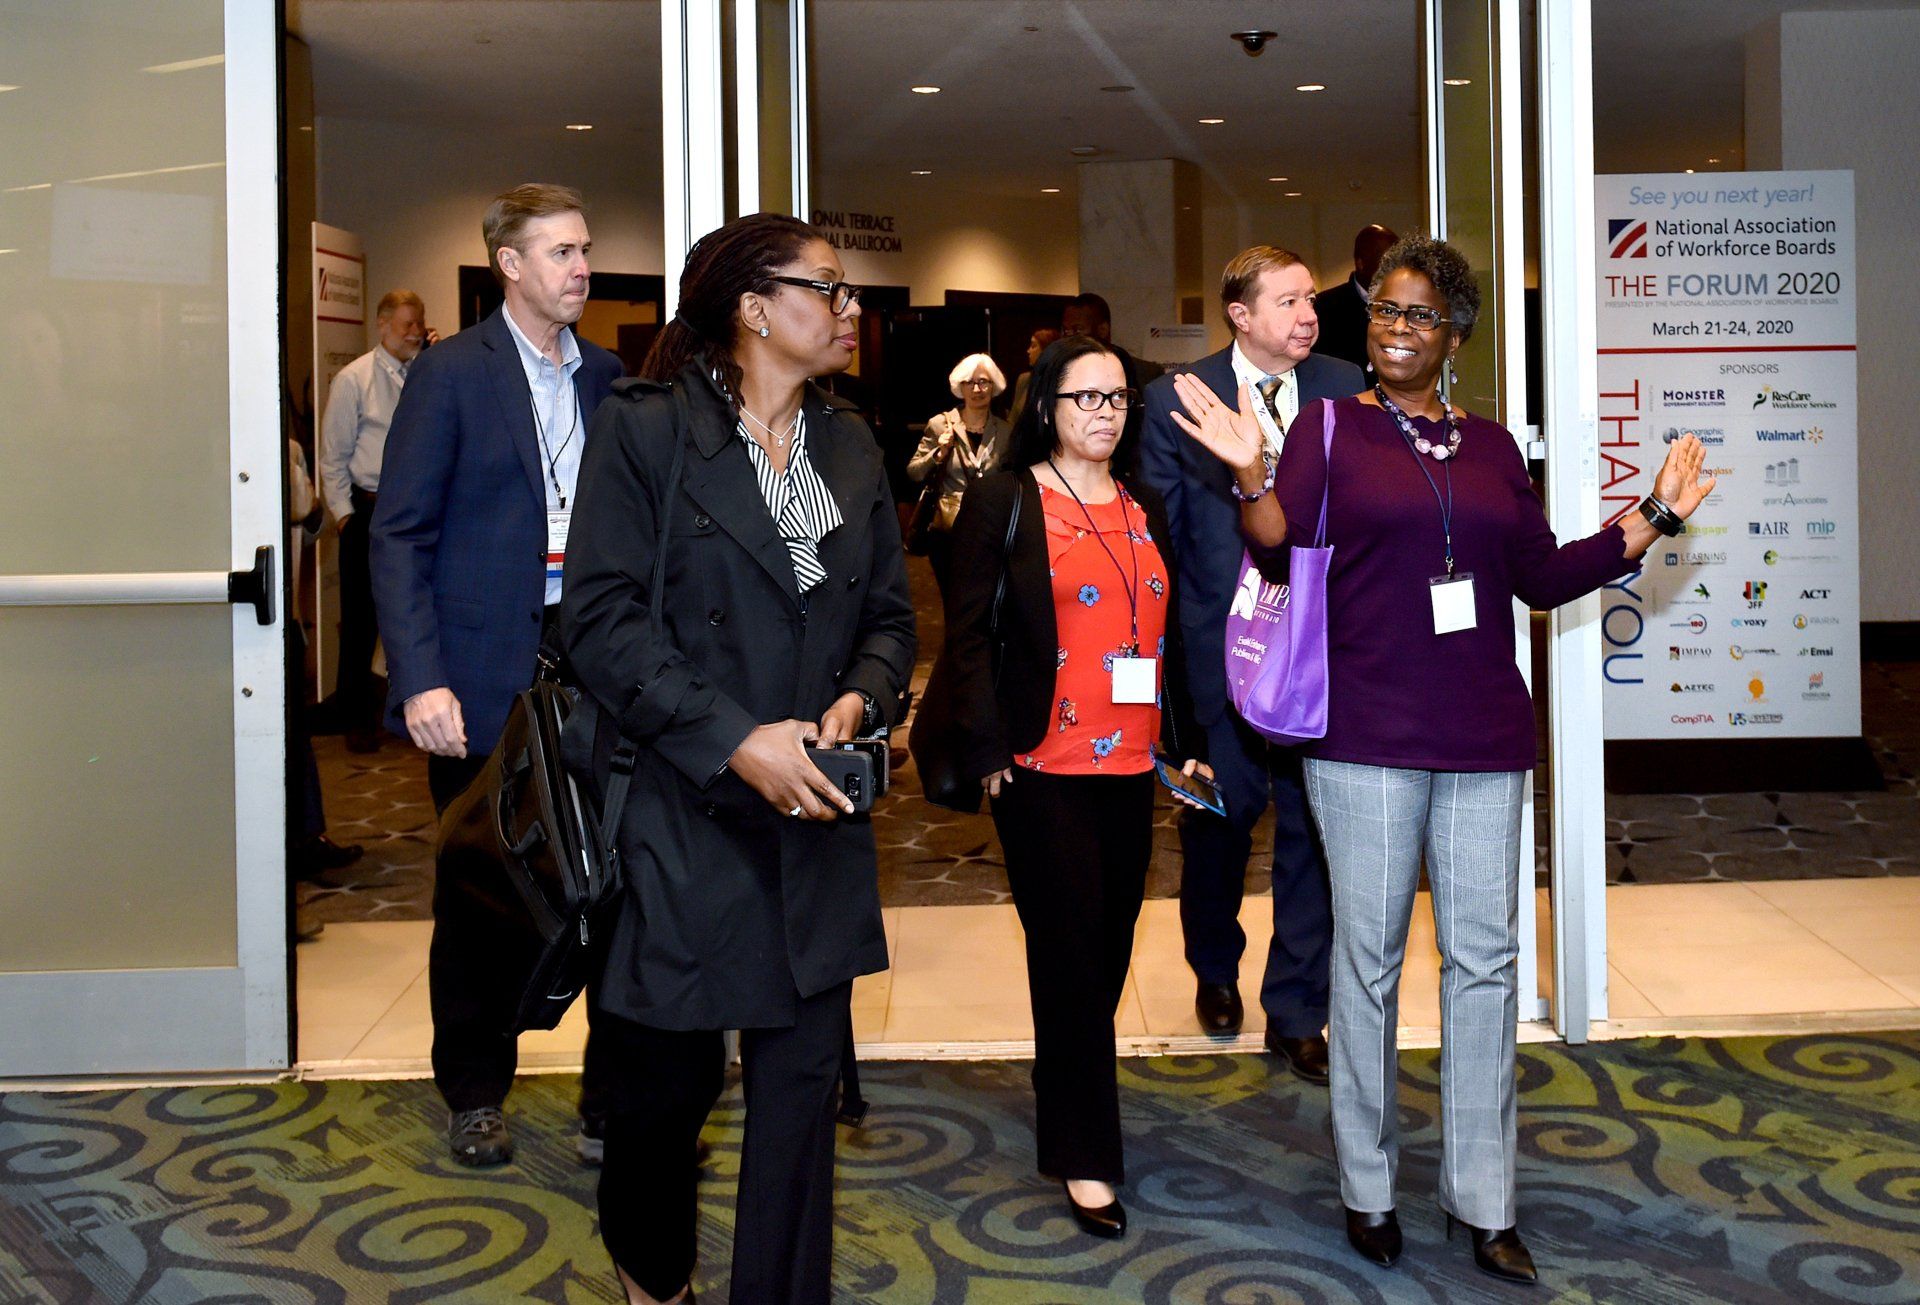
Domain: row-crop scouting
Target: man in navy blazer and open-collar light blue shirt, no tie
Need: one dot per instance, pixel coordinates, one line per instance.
(469, 533)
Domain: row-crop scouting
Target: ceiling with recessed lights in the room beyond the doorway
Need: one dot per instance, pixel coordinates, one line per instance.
(1668, 82)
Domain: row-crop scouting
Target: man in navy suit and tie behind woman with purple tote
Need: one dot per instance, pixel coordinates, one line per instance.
(1268, 297)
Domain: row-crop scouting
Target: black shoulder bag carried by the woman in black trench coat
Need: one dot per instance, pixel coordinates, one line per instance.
(525, 843)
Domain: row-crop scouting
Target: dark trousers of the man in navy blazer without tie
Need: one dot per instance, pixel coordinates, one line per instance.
(473, 985)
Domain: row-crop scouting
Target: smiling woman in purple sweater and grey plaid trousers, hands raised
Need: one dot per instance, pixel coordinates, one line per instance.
(1429, 730)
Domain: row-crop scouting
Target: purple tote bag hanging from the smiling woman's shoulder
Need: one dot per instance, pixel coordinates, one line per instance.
(1278, 636)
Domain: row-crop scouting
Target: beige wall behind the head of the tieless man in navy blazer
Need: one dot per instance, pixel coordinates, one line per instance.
(416, 197)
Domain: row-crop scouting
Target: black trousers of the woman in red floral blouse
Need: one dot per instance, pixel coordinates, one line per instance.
(1078, 849)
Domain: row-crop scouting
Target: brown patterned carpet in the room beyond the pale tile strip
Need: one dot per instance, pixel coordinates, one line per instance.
(930, 857)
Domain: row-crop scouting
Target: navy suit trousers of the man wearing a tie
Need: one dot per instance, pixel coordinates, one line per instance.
(1251, 772)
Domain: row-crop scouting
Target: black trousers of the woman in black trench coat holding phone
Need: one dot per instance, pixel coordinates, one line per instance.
(661, 1087)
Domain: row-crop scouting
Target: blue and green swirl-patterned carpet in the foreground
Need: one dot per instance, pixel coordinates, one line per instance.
(1658, 1172)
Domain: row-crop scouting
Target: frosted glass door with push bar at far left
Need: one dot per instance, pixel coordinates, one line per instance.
(143, 746)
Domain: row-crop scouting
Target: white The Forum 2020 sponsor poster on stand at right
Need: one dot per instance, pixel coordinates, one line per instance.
(1727, 308)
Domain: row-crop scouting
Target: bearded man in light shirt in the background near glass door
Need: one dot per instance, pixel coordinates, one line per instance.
(352, 446)
